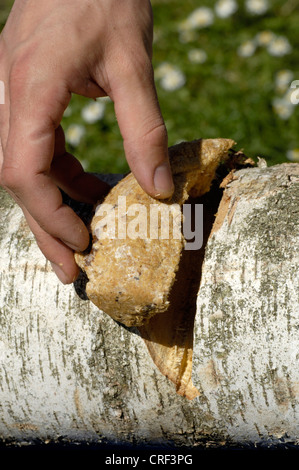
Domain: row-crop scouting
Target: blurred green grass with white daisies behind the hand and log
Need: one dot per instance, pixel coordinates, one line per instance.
(223, 68)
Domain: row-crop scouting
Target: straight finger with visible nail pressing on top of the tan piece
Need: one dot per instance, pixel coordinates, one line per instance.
(143, 130)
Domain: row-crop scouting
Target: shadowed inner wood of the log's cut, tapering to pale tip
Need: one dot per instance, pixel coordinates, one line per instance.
(169, 336)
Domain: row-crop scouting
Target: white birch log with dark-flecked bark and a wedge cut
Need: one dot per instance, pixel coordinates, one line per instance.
(69, 373)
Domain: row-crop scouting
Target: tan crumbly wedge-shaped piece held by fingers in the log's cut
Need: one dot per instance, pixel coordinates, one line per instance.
(131, 279)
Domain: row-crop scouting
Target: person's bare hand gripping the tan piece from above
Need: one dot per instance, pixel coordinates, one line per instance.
(49, 50)
